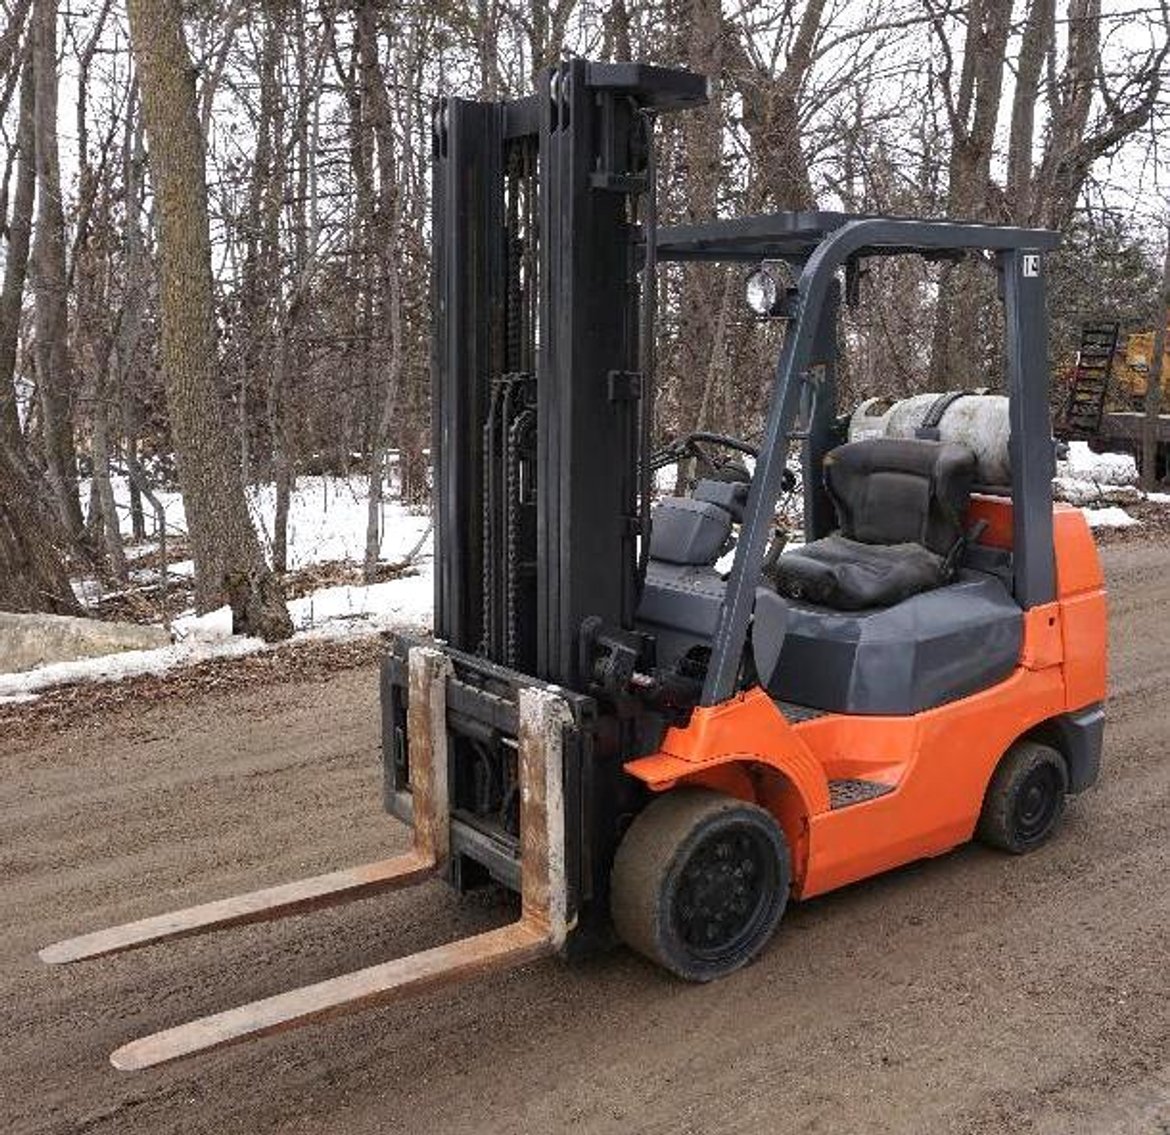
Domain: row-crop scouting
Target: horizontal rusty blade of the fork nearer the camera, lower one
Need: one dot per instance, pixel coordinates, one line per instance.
(505, 948)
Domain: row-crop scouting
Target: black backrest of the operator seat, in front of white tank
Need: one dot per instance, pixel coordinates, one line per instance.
(901, 491)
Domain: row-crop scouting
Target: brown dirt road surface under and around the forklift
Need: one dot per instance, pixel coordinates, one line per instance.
(974, 993)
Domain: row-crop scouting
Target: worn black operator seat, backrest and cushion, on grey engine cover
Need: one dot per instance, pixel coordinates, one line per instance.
(901, 506)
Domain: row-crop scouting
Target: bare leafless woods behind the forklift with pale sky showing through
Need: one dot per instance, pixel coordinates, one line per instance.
(216, 236)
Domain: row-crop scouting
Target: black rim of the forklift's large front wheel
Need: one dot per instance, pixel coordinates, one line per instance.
(725, 892)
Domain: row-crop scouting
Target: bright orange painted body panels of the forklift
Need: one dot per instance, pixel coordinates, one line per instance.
(939, 761)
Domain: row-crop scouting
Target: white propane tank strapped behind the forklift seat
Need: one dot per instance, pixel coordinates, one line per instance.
(979, 422)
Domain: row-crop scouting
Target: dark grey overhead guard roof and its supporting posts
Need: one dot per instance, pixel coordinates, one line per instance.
(825, 243)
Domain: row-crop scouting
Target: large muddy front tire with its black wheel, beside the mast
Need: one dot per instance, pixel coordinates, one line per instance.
(700, 883)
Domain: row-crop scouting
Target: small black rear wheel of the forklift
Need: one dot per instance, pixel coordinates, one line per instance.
(1026, 799)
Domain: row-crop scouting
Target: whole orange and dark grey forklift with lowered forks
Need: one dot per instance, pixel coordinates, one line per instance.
(655, 720)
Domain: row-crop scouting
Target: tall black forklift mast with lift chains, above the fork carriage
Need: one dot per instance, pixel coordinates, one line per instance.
(541, 404)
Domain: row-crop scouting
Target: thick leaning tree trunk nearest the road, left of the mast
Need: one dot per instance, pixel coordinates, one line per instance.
(230, 566)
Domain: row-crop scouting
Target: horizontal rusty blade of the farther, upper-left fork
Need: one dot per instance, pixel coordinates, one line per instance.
(258, 906)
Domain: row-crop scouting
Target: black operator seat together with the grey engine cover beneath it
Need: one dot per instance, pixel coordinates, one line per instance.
(876, 618)
